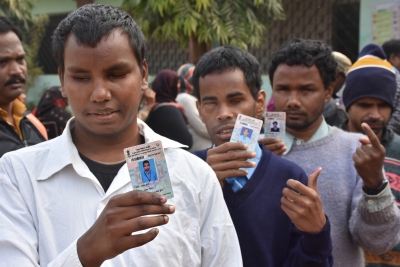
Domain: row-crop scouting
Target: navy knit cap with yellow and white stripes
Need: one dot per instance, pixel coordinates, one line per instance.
(370, 76)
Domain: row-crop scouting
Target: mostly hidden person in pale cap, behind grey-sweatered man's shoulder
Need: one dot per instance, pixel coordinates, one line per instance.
(334, 113)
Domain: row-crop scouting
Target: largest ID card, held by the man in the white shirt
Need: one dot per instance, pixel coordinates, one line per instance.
(148, 168)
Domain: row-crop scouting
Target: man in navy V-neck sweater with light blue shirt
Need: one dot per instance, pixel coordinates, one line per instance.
(278, 219)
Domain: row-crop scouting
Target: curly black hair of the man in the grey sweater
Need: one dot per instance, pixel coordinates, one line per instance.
(306, 53)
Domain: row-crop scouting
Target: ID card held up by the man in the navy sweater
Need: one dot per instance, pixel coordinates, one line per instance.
(246, 131)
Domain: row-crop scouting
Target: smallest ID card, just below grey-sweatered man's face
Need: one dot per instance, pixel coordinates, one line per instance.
(275, 124)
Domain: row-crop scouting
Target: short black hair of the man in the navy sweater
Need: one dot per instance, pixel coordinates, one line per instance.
(228, 57)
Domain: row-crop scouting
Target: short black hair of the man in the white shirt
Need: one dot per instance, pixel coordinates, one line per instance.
(90, 23)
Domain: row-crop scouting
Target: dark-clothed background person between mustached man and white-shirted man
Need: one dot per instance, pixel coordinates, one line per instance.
(51, 112)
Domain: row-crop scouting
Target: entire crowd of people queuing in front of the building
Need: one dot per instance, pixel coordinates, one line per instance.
(327, 194)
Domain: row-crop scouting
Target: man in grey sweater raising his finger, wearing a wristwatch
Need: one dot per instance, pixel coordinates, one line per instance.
(352, 187)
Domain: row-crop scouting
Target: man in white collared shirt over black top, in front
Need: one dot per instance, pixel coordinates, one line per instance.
(69, 201)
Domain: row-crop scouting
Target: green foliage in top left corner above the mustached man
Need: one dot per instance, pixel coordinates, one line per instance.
(33, 28)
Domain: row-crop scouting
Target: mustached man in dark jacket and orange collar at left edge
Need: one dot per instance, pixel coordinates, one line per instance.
(16, 130)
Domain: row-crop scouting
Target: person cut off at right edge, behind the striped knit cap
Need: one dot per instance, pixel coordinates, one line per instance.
(392, 51)
